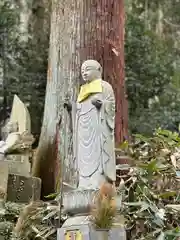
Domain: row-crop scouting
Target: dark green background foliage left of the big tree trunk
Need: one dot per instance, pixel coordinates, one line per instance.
(24, 63)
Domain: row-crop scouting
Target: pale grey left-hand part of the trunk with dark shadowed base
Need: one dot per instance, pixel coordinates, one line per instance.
(63, 79)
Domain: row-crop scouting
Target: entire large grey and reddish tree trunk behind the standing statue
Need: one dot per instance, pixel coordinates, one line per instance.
(79, 30)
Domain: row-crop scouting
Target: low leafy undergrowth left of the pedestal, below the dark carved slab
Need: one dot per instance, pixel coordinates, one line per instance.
(34, 221)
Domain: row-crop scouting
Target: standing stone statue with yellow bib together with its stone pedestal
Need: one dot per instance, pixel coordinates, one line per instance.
(93, 118)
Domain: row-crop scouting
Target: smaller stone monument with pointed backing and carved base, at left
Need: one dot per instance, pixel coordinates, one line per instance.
(15, 177)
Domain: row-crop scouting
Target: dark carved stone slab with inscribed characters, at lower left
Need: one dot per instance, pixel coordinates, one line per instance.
(22, 189)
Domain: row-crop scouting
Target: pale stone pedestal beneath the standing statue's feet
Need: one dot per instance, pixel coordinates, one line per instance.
(79, 226)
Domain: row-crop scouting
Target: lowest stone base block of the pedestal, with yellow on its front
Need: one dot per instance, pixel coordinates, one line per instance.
(80, 228)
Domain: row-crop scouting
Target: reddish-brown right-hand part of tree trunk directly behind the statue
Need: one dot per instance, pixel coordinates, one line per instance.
(102, 38)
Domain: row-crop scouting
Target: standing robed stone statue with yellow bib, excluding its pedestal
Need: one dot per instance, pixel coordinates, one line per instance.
(93, 118)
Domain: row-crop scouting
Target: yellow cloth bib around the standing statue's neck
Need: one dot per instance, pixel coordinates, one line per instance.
(89, 88)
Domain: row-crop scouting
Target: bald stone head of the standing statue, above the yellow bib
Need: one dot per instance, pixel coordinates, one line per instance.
(91, 70)
